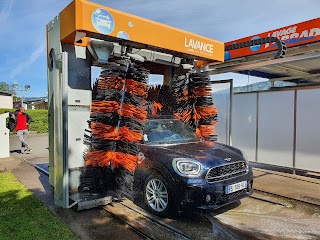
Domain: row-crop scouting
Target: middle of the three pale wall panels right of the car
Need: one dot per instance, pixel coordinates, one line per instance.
(276, 128)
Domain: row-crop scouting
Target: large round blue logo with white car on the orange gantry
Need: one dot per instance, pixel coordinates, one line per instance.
(102, 21)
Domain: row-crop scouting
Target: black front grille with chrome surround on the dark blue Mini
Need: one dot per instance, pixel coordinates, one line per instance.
(226, 171)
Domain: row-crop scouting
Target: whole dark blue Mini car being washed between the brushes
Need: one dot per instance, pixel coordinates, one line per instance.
(179, 170)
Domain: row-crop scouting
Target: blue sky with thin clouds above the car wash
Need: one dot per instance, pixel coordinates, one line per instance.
(23, 27)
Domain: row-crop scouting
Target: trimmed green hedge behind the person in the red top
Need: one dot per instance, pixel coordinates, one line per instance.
(39, 117)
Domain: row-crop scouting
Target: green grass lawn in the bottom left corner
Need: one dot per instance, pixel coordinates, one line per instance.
(23, 216)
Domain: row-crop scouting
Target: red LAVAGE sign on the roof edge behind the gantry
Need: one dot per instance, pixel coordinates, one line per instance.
(293, 35)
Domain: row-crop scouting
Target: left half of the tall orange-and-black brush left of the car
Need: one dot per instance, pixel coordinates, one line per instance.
(101, 137)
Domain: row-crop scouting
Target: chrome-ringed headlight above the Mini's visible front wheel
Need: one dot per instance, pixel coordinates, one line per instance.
(187, 167)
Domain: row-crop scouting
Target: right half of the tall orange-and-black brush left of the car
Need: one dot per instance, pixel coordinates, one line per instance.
(132, 118)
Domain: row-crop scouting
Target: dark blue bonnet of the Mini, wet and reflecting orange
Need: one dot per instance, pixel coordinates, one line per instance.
(208, 152)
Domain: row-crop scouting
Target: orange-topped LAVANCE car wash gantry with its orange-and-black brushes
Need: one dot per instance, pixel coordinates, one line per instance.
(95, 133)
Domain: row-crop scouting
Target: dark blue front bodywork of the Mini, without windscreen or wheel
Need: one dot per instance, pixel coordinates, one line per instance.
(222, 166)
